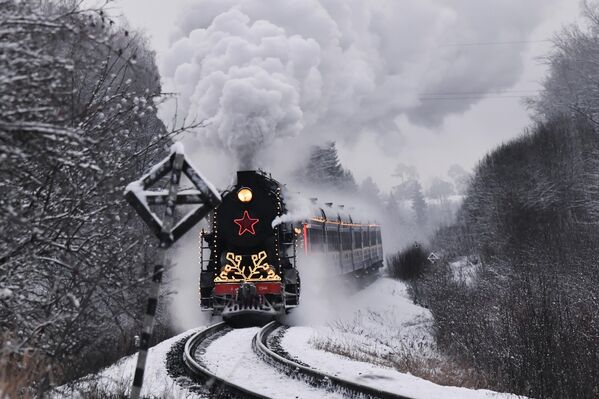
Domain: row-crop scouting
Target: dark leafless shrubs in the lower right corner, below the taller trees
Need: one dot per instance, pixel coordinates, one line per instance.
(531, 333)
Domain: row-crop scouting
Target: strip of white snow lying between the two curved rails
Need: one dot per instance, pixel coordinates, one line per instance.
(231, 357)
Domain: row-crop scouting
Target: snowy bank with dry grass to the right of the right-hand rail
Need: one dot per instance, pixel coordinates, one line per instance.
(380, 324)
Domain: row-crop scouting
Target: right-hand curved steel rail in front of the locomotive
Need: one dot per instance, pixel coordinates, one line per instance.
(313, 376)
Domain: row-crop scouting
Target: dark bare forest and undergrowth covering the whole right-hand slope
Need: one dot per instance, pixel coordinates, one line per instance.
(524, 245)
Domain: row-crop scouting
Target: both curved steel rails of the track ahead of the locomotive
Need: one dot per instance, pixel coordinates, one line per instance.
(221, 388)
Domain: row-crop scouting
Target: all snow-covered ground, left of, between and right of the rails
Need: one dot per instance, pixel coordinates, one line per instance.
(368, 337)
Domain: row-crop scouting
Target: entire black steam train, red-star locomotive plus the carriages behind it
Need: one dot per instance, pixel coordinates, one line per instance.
(251, 272)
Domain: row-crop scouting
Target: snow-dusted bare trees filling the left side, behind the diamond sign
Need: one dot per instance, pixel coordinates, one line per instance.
(77, 123)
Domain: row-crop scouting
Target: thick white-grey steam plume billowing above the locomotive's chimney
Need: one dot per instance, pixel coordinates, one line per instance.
(260, 70)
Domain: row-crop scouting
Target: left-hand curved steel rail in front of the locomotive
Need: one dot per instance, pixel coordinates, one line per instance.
(214, 384)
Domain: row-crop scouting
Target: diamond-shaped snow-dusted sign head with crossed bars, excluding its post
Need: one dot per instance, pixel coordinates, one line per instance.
(205, 195)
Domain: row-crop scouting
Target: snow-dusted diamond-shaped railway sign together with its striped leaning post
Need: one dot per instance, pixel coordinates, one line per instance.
(205, 195)
